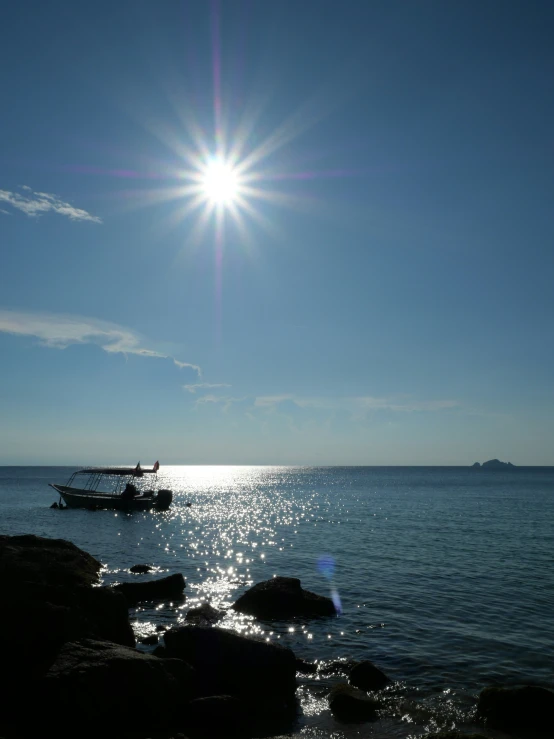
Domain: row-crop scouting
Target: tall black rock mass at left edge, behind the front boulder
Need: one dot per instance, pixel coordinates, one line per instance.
(48, 601)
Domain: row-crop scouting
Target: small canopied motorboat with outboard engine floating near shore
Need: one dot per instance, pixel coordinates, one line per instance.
(114, 488)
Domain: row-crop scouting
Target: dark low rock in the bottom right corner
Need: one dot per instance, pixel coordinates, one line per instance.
(507, 708)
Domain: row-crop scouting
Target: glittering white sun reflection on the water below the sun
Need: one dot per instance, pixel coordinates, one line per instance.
(235, 532)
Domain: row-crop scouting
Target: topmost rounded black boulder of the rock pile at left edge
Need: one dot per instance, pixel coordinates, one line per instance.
(31, 558)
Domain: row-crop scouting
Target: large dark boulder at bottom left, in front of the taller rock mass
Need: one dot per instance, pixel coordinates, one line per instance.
(100, 684)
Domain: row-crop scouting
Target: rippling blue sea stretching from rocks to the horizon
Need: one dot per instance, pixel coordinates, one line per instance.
(445, 575)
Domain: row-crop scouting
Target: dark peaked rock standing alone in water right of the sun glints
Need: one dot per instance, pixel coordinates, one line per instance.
(283, 597)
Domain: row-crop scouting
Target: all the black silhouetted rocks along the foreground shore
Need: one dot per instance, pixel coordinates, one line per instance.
(72, 665)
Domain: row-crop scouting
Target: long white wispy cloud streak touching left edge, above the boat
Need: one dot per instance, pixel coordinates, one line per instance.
(60, 331)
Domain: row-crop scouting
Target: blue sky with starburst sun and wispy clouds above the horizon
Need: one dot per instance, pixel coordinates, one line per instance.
(372, 282)
